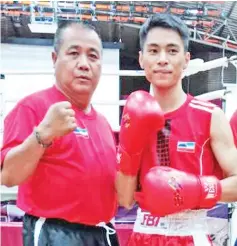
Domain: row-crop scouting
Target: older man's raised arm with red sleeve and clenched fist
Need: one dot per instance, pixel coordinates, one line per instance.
(21, 151)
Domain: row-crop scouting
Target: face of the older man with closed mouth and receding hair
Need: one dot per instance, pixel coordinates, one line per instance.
(78, 61)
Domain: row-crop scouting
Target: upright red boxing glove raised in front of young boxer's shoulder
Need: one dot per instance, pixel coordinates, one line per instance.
(141, 118)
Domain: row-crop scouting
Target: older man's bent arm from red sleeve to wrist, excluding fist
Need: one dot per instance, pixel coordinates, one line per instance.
(20, 149)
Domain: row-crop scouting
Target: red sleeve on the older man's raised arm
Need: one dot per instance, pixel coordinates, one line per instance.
(18, 125)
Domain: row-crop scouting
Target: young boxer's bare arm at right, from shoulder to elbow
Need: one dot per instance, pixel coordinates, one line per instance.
(224, 149)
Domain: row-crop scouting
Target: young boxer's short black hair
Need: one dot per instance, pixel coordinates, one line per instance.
(165, 20)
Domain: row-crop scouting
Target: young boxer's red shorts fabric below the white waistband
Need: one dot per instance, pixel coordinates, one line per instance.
(138, 239)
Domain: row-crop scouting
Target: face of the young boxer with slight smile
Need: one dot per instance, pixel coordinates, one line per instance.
(163, 57)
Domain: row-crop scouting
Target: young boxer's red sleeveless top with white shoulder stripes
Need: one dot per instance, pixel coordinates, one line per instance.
(184, 142)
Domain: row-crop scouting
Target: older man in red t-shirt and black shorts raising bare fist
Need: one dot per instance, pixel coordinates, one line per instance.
(61, 152)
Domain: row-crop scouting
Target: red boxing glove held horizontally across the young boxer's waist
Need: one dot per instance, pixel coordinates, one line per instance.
(166, 190)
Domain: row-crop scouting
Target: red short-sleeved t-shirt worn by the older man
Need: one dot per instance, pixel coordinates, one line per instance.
(75, 177)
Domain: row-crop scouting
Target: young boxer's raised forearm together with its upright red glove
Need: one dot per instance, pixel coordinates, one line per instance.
(142, 117)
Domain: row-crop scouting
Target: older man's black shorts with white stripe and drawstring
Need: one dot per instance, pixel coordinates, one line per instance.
(56, 232)
